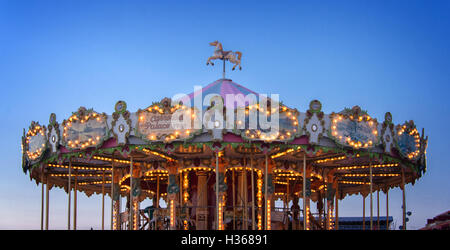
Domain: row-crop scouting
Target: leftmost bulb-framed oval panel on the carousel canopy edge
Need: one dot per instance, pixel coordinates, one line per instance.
(35, 141)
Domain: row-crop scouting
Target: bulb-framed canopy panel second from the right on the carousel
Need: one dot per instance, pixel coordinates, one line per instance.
(353, 127)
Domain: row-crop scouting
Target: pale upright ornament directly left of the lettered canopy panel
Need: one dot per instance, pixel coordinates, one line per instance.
(121, 124)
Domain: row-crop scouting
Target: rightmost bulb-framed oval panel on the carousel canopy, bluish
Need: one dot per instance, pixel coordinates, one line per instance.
(408, 140)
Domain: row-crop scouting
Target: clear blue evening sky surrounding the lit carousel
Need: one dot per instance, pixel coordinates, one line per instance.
(56, 56)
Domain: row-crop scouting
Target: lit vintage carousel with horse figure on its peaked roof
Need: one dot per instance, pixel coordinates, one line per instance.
(220, 157)
